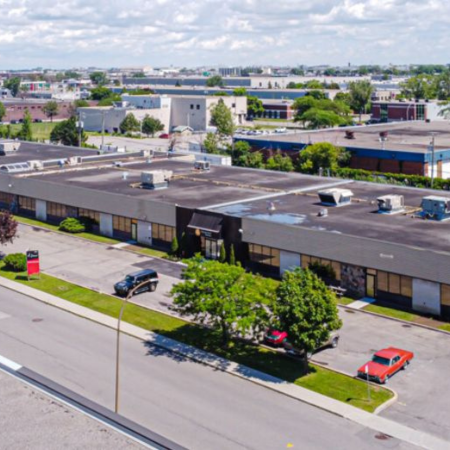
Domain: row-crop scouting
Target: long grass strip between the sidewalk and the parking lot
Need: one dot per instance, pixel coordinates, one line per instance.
(324, 381)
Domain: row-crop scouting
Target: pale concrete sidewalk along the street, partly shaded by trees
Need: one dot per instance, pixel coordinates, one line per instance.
(372, 421)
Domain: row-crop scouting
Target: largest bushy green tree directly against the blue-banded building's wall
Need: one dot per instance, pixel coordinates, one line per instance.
(321, 155)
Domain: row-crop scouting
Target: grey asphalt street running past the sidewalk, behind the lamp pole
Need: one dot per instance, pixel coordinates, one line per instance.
(185, 401)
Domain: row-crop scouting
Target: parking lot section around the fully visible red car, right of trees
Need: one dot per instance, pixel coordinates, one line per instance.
(423, 389)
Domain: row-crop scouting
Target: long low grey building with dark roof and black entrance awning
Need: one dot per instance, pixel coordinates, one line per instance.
(386, 242)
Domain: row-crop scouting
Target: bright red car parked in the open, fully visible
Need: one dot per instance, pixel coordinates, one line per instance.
(385, 363)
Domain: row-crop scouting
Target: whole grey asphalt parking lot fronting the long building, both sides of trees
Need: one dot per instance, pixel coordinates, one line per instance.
(423, 389)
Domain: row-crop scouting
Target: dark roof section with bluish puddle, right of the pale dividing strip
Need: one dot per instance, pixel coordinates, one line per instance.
(359, 219)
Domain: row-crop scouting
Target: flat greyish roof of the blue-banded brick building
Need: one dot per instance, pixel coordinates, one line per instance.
(407, 136)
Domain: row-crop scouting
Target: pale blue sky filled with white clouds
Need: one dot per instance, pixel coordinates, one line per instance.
(189, 33)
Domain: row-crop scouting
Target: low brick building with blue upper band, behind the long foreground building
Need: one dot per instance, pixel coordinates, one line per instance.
(413, 148)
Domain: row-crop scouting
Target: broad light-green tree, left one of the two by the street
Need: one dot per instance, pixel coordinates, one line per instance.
(223, 296)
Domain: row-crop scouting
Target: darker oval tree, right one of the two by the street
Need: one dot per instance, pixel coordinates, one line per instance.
(306, 309)
